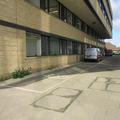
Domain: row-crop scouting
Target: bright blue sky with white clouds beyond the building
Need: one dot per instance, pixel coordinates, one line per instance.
(116, 23)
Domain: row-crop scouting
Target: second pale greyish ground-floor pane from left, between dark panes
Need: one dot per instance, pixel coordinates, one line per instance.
(54, 46)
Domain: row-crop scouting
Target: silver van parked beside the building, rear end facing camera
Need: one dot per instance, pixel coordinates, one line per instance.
(93, 54)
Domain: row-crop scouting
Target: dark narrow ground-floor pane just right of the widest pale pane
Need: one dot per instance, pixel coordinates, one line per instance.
(45, 45)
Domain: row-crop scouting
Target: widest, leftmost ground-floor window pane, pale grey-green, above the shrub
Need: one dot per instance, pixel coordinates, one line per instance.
(33, 44)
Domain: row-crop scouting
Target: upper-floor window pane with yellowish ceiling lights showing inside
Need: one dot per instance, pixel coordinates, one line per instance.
(54, 8)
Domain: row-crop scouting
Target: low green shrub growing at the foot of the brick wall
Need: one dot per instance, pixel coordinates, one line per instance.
(20, 73)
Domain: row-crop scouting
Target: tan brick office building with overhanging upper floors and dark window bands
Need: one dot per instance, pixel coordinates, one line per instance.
(44, 34)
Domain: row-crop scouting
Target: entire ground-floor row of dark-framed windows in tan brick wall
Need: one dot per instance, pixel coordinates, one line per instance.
(42, 45)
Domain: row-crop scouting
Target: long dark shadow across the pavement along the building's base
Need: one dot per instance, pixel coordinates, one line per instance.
(109, 64)
